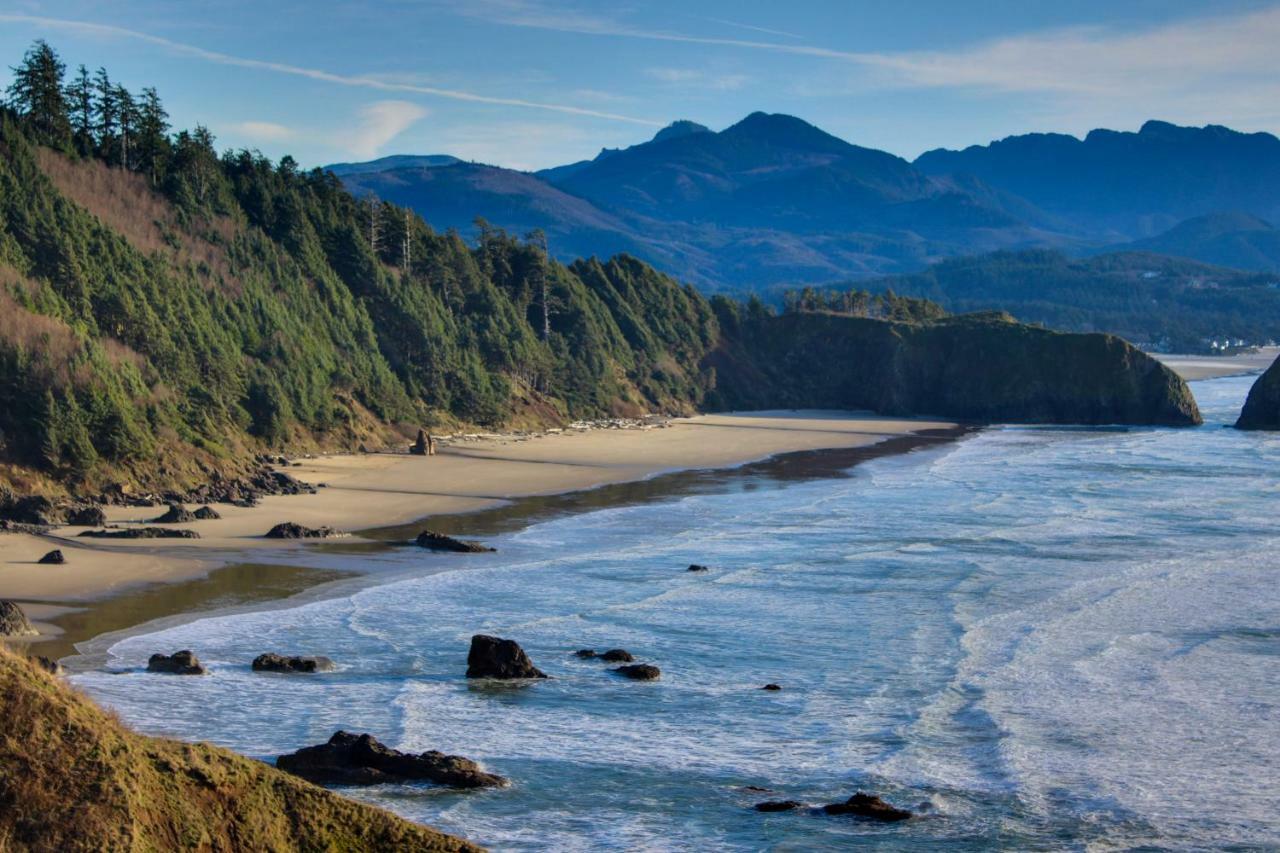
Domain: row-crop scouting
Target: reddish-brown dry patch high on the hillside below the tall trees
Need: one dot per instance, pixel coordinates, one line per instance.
(125, 203)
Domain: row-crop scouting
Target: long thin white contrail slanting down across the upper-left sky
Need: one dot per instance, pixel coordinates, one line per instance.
(92, 29)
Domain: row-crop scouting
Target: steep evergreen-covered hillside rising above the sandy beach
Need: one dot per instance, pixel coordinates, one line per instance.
(167, 311)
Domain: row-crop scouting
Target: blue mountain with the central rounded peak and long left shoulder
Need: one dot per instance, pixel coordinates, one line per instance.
(769, 200)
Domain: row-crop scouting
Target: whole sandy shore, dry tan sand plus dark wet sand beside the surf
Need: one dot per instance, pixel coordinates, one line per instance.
(141, 586)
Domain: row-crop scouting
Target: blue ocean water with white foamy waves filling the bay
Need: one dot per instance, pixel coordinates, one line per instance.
(1036, 638)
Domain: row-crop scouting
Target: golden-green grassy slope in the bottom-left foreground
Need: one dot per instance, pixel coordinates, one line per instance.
(74, 778)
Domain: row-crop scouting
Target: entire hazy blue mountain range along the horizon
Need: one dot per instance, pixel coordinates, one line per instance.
(774, 199)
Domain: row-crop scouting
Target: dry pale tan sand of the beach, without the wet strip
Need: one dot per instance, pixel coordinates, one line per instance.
(381, 490)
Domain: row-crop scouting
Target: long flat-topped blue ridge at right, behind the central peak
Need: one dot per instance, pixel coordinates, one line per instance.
(1128, 186)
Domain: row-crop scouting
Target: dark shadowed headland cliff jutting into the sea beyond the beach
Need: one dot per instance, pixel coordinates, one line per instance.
(981, 368)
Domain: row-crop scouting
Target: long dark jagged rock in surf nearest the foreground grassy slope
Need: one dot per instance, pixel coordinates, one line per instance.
(362, 760)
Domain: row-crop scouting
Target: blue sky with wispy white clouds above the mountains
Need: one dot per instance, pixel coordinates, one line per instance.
(534, 84)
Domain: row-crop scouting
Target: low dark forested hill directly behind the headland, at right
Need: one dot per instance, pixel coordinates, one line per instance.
(1155, 300)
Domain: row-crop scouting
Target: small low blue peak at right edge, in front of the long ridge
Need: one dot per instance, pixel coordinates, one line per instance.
(1238, 240)
